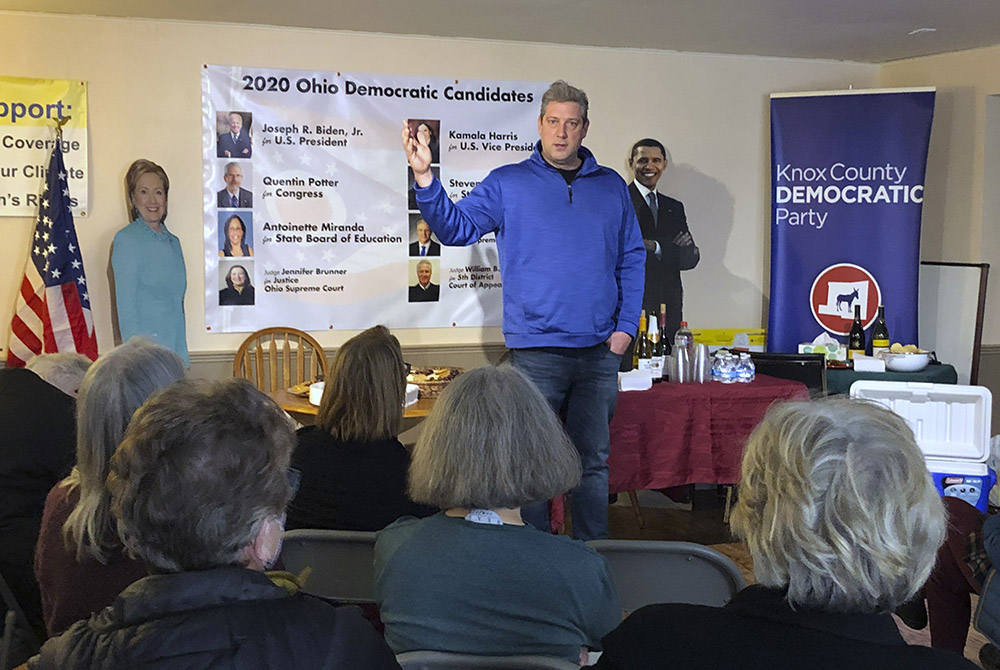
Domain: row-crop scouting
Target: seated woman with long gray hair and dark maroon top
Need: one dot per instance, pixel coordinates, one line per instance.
(79, 561)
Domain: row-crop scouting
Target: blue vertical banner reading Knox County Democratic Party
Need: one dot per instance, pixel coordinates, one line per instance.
(847, 187)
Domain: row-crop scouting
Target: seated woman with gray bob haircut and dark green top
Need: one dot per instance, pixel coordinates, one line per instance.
(476, 579)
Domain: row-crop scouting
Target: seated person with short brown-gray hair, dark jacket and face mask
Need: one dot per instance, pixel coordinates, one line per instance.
(198, 488)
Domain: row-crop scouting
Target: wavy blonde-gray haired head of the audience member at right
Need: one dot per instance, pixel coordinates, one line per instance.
(836, 505)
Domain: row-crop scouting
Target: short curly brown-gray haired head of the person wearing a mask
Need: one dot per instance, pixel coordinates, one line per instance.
(201, 478)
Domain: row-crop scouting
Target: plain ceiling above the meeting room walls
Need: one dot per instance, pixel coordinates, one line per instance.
(871, 31)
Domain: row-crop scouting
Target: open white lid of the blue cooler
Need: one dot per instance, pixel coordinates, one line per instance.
(951, 422)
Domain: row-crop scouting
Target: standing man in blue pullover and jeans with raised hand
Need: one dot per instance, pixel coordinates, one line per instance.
(572, 263)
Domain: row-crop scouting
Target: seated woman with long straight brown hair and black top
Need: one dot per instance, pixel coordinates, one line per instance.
(353, 469)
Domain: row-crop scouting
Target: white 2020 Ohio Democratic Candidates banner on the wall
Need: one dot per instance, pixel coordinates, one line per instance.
(310, 213)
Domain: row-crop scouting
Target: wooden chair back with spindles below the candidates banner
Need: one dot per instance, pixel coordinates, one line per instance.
(276, 358)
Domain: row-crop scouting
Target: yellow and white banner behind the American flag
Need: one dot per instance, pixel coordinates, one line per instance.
(29, 111)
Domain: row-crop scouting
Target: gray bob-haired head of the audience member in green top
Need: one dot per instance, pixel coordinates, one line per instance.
(492, 441)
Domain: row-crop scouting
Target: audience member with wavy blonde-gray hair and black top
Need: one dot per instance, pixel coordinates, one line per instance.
(843, 524)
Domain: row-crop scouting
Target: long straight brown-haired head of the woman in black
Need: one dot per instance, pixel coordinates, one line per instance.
(365, 389)
